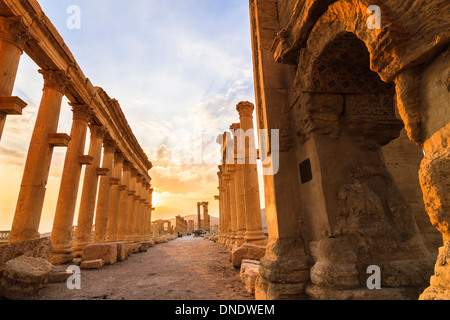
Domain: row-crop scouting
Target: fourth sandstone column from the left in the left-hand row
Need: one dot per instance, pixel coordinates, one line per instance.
(89, 192)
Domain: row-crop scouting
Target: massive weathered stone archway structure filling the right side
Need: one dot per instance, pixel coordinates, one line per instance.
(340, 91)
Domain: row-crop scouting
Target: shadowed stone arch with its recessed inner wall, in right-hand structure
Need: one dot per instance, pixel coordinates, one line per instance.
(346, 114)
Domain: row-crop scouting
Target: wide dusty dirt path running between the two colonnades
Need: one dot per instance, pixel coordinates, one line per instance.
(183, 269)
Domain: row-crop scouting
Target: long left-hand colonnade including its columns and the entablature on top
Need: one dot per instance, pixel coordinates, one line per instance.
(116, 166)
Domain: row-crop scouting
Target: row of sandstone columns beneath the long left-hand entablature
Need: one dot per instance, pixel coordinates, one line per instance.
(123, 207)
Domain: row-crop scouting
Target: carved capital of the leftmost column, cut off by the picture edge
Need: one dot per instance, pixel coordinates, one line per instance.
(13, 30)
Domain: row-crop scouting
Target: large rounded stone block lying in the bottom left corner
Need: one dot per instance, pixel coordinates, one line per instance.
(24, 276)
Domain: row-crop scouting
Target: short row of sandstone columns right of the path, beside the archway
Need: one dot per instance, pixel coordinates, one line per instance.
(239, 198)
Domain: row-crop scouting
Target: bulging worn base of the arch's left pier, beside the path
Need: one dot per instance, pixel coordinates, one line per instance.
(284, 271)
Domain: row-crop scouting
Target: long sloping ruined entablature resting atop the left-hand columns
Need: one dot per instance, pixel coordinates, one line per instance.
(49, 52)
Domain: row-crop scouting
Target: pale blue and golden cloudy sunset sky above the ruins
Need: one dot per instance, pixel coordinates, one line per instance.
(177, 68)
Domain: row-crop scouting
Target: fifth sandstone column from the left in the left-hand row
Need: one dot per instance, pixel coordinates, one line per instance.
(104, 192)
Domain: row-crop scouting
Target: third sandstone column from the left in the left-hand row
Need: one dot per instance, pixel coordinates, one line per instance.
(70, 181)
